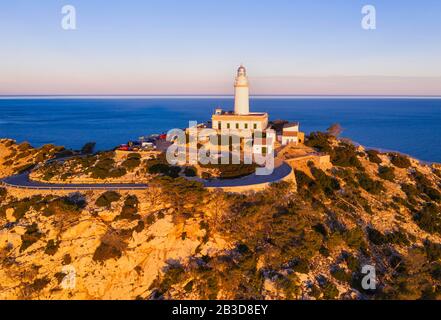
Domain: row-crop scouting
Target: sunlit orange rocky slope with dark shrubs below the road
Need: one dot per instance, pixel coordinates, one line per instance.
(177, 240)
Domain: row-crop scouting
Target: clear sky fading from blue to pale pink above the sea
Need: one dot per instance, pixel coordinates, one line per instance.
(160, 47)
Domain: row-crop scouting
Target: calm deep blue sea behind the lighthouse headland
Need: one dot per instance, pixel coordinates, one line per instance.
(411, 126)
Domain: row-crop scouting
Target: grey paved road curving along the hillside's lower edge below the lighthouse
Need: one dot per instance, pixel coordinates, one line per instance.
(23, 181)
